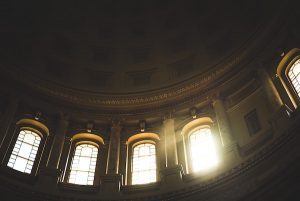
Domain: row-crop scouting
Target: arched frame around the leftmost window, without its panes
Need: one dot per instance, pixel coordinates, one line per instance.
(37, 127)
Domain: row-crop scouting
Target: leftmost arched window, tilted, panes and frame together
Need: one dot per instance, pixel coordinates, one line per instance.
(25, 153)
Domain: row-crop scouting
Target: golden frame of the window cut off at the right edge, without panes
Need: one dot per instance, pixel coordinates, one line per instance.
(282, 71)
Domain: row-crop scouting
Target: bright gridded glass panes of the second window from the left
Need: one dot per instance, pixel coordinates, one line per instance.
(84, 165)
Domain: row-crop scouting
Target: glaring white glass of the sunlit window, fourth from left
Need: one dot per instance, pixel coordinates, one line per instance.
(203, 150)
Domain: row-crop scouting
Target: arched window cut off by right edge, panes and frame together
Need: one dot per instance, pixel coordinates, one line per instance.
(289, 73)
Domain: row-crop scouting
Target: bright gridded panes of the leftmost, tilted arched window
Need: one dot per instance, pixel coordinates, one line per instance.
(24, 152)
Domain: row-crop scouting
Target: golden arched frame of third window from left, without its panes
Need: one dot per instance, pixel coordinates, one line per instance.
(136, 140)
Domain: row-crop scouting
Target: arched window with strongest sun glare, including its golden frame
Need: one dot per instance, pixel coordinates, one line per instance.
(201, 151)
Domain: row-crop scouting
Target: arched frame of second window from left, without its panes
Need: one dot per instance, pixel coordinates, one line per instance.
(79, 139)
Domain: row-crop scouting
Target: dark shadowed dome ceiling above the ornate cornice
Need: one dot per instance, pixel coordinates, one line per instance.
(126, 46)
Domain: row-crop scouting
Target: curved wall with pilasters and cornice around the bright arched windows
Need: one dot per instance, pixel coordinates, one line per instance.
(252, 118)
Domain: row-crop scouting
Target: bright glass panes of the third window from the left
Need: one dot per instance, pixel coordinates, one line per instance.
(144, 164)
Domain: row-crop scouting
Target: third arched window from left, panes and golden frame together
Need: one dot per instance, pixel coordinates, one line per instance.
(142, 159)
